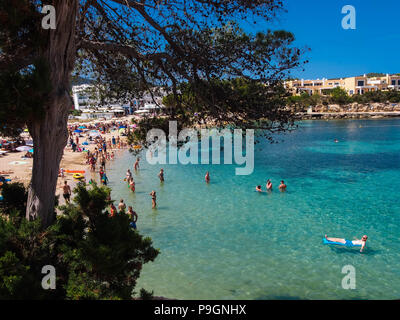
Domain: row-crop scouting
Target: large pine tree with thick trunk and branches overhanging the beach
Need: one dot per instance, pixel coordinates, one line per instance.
(131, 46)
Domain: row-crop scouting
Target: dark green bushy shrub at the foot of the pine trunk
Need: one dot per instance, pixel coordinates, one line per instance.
(95, 256)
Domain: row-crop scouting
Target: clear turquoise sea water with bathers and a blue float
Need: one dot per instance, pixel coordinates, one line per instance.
(225, 241)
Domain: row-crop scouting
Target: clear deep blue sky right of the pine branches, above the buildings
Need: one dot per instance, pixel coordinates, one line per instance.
(373, 47)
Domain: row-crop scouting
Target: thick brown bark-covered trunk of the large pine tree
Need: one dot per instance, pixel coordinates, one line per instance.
(50, 134)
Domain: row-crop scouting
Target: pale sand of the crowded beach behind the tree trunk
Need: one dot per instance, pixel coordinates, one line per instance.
(14, 166)
